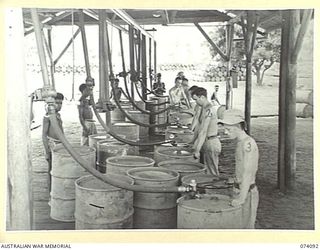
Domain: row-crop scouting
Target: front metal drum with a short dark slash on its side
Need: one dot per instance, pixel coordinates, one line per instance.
(102, 206)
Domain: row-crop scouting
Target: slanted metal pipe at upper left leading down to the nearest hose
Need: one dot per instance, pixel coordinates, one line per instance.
(41, 52)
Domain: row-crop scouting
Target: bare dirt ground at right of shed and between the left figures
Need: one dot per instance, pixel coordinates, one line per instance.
(293, 210)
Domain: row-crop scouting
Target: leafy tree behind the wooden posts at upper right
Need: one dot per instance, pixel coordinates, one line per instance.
(266, 51)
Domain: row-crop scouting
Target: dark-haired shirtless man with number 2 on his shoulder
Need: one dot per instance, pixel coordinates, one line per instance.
(205, 136)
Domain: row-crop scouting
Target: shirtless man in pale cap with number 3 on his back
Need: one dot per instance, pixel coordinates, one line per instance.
(247, 157)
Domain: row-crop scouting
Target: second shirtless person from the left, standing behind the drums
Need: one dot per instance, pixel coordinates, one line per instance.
(85, 114)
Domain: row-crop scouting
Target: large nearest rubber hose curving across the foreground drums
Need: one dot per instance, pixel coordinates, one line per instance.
(105, 177)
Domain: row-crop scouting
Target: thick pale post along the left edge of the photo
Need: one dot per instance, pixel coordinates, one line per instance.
(19, 168)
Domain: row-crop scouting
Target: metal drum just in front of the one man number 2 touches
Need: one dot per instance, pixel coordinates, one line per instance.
(183, 167)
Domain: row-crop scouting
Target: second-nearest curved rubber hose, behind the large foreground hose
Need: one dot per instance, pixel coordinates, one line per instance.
(108, 130)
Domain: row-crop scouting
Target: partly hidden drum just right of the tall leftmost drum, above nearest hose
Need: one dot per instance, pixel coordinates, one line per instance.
(110, 148)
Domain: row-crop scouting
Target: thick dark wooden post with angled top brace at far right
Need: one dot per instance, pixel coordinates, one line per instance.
(292, 38)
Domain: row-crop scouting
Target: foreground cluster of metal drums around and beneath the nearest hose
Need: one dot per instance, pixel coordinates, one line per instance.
(93, 204)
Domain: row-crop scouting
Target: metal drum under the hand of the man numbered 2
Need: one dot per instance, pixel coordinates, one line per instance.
(171, 153)
